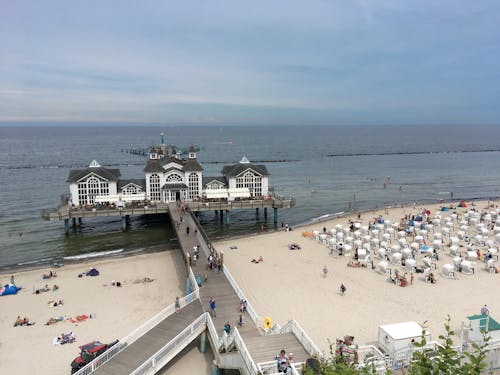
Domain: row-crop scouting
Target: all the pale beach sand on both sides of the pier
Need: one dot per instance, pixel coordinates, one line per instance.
(287, 285)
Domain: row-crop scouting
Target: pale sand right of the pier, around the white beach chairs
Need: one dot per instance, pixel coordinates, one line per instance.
(289, 285)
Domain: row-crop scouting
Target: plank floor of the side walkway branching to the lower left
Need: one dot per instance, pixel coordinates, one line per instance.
(141, 350)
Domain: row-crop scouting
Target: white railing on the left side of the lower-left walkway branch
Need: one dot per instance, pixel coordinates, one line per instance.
(137, 333)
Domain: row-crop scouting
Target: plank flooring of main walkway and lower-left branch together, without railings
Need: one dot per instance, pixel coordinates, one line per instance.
(261, 348)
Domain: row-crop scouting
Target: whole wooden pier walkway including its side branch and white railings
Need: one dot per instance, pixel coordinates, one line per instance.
(250, 349)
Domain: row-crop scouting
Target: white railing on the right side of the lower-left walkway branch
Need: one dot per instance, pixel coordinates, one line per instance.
(169, 351)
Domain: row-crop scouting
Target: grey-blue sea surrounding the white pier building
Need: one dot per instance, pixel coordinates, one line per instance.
(328, 170)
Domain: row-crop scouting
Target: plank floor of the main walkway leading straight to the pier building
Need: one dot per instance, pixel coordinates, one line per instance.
(261, 348)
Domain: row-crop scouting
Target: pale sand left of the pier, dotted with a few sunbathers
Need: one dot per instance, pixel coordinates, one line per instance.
(118, 311)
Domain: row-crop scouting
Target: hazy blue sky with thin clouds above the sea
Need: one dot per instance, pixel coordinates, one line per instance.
(329, 62)
